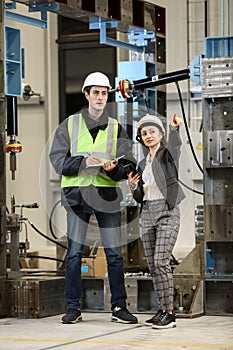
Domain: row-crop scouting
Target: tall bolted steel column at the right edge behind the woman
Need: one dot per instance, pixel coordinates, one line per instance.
(217, 90)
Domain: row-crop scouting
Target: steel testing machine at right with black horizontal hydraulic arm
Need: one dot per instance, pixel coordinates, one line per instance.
(207, 272)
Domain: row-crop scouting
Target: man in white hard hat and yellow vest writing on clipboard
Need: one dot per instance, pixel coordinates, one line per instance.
(91, 151)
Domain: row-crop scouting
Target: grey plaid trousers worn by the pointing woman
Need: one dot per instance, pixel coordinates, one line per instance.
(159, 229)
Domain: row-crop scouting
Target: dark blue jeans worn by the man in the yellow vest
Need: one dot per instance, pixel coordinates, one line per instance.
(110, 230)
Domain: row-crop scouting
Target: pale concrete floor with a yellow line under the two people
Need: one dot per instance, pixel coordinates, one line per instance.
(97, 332)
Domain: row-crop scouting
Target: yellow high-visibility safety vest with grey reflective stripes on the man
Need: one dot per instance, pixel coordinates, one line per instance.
(82, 144)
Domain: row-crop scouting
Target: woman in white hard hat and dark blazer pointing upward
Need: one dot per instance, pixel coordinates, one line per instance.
(156, 187)
